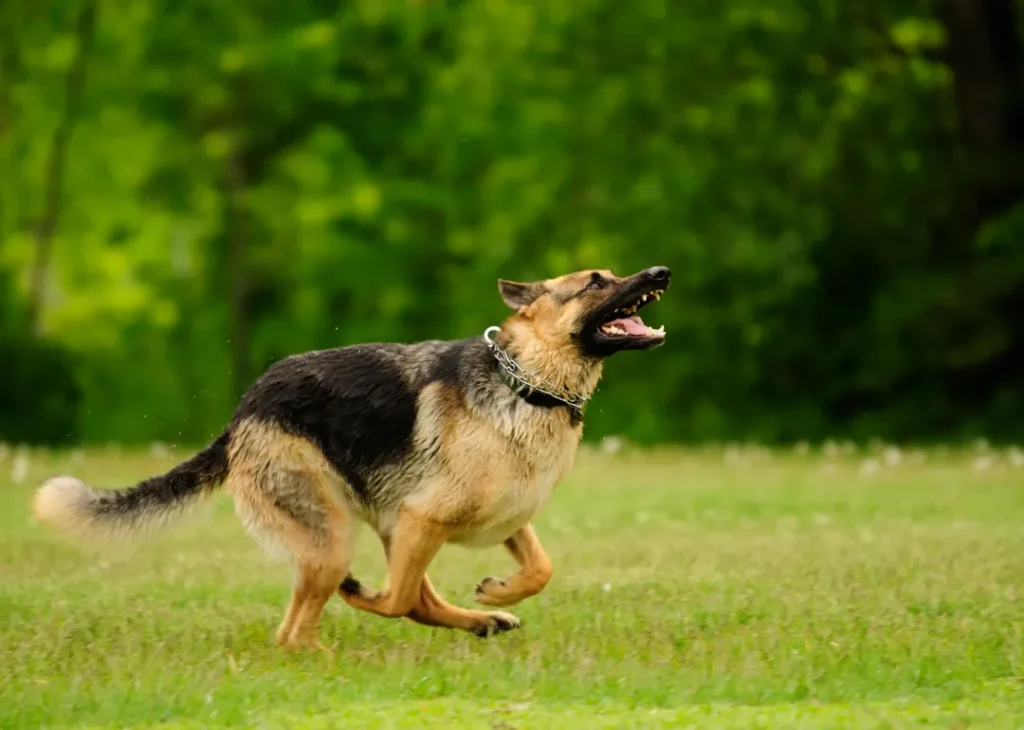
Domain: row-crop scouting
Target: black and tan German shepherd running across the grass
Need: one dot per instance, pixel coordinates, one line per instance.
(434, 443)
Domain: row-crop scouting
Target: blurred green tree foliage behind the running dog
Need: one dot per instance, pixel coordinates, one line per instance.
(245, 181)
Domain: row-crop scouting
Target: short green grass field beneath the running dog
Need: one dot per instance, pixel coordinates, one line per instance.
(711, 590)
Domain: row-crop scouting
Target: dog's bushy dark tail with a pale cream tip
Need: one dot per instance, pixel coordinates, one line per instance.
(83, 512)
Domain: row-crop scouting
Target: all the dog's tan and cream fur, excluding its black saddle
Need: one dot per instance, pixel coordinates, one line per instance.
(477, 474)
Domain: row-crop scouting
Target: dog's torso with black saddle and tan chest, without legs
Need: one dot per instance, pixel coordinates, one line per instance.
(392, 420)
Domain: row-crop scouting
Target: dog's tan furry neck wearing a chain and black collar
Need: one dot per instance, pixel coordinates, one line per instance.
(558, 361)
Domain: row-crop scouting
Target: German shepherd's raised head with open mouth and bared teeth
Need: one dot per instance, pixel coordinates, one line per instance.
(593, 312)
